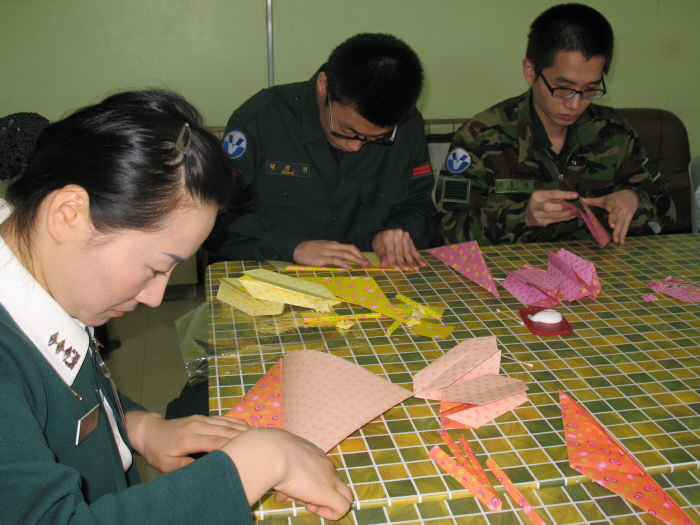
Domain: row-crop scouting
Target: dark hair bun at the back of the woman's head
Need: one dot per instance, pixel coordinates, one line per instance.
(19, 134)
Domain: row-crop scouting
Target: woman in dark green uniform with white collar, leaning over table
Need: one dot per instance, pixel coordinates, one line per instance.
(101, 206)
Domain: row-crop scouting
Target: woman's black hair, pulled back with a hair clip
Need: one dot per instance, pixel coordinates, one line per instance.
(123, 152)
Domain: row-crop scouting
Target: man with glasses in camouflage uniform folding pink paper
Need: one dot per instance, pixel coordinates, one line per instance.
(512, 170)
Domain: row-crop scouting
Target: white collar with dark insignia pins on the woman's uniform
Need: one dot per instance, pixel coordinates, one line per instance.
(37, 313)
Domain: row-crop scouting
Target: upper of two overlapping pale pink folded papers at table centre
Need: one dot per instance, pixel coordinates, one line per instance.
(470, 358)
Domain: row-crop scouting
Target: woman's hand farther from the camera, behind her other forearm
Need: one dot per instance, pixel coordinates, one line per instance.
(166, 443)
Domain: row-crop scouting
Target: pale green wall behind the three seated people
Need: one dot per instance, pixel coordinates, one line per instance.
(58, 55)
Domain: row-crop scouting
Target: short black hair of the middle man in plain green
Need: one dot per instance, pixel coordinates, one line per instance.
(378, 75)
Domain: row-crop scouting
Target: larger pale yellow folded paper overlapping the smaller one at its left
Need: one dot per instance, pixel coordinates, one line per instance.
(271, 286)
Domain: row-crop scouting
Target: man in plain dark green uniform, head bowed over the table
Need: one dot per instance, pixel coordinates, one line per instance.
(333, 166)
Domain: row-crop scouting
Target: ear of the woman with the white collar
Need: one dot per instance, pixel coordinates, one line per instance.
(69, 214)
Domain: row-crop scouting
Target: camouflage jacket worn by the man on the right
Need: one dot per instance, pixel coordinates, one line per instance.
(494, 165)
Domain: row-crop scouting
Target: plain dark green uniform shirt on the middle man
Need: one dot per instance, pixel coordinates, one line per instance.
(292, 187)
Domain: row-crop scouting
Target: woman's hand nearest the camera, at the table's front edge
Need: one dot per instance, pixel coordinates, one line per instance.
(297, 469)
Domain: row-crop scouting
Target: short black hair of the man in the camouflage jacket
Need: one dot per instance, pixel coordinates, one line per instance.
(569, 27)
